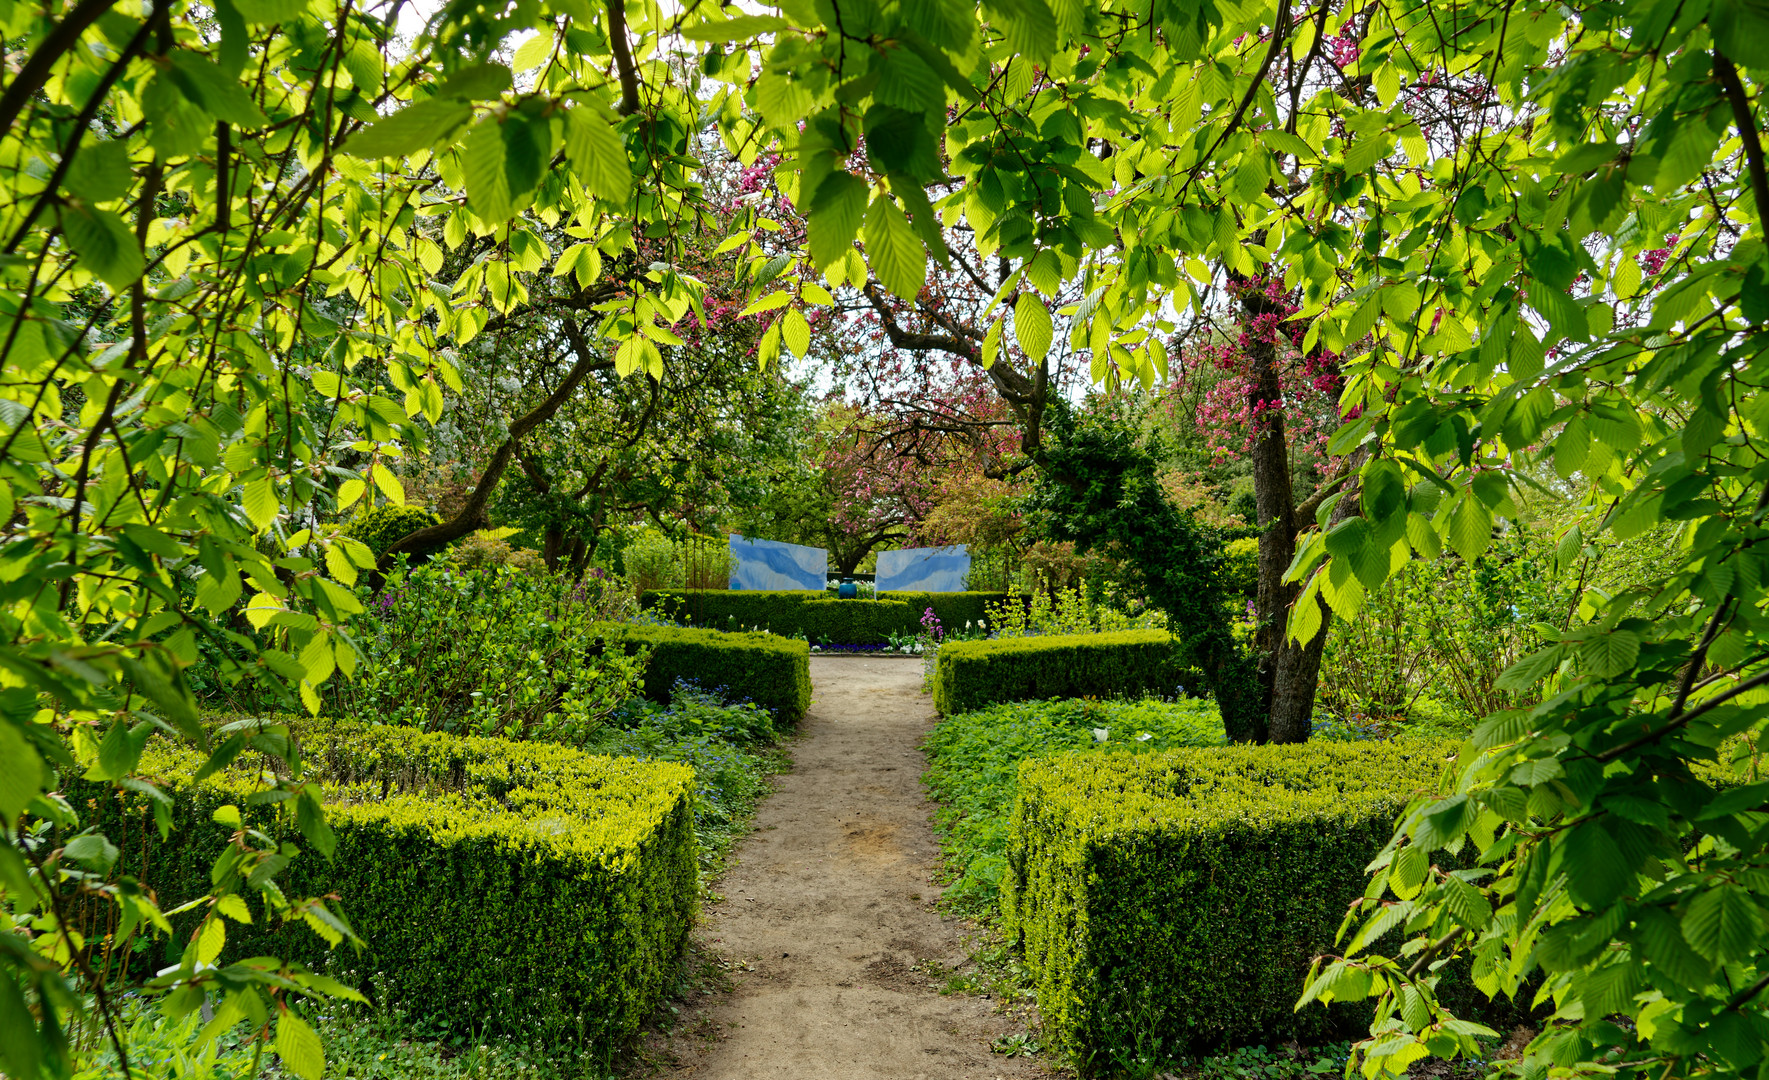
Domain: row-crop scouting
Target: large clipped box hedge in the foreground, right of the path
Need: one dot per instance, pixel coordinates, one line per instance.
(1177, 899)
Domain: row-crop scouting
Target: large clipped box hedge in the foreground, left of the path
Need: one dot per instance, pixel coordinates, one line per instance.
(494, 885)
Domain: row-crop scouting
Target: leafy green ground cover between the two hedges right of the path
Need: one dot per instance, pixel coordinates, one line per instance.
(974, 770)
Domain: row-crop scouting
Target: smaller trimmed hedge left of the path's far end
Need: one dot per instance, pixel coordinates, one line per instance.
(767, 669)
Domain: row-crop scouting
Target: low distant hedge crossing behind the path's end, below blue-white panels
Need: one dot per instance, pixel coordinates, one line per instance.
(816, 614)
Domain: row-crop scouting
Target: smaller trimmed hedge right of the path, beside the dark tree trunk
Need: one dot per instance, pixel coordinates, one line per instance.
(1130, 664)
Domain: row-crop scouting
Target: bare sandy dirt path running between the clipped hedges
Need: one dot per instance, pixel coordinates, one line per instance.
(829, 918)
